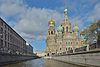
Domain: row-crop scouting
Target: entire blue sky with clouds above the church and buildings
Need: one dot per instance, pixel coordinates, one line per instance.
(30, 18)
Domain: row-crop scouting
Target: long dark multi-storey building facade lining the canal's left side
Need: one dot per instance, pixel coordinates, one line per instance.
(9, 39)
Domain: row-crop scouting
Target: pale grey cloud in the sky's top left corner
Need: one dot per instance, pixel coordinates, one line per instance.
(11, 7)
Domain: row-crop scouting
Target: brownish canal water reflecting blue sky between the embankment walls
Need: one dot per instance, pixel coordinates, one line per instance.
(41, 63)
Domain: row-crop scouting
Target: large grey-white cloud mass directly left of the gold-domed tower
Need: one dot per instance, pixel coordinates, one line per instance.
(35, 21)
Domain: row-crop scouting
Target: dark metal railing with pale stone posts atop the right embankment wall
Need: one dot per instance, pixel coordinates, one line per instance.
(78, 50)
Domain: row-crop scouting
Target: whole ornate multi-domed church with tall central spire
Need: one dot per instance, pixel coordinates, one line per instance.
(63, 39)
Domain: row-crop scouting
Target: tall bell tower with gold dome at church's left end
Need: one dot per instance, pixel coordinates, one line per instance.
(51, 40)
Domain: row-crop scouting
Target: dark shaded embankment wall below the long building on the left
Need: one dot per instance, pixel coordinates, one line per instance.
(9, 58)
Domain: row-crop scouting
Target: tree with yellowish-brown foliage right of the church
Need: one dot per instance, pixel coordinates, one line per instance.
(92, 33)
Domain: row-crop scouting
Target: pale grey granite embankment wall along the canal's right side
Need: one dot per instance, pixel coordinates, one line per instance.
(82, 58)
